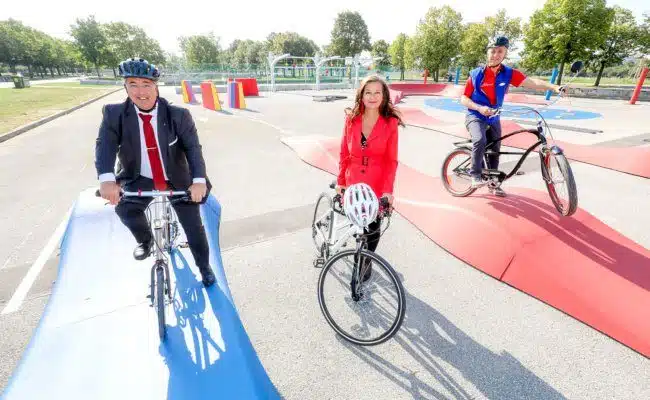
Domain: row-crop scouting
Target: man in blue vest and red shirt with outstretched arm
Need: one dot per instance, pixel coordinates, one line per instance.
(485, 90)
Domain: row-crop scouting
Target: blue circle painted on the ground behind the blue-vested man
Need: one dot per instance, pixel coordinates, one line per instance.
(449, 104)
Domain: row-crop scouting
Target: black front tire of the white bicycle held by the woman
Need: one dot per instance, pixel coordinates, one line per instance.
(378, 262)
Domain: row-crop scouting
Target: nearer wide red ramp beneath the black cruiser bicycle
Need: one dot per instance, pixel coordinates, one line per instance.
(578, 265)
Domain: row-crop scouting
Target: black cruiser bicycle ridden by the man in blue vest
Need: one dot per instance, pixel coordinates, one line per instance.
(494, 177)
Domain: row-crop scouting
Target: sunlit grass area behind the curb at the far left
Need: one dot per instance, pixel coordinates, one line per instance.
(21, 106)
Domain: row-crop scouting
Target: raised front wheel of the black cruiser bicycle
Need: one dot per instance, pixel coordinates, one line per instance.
(560, 183)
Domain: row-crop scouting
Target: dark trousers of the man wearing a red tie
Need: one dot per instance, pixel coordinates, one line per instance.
(130, 210)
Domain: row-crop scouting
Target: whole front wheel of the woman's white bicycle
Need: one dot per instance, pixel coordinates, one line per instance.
(365, 312)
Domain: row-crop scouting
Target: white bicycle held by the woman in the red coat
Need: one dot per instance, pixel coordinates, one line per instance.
(368, 271)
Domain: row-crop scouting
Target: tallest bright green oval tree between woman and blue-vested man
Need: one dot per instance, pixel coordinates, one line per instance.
(437, 38)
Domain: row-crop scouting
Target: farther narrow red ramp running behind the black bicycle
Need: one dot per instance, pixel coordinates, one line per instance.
(631, 160)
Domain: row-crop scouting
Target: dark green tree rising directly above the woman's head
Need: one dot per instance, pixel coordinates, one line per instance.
(349, 35)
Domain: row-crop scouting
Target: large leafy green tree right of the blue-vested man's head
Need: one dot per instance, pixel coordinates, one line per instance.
(563, 31)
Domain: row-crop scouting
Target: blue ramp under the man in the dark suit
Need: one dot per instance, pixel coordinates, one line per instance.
(98, 337)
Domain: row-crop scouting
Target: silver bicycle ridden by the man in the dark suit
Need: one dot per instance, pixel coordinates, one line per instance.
(164, 226)
